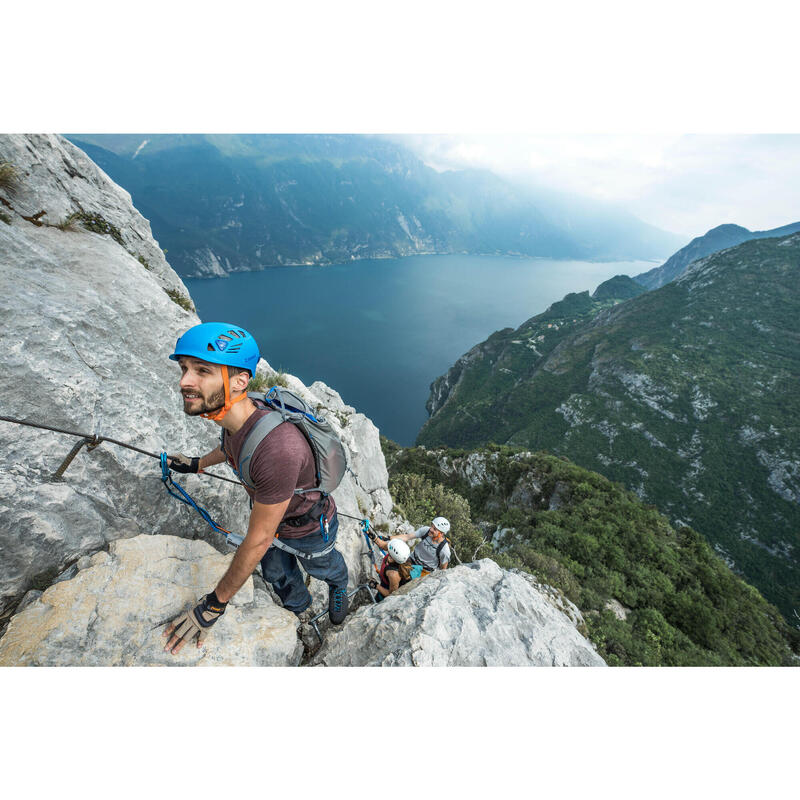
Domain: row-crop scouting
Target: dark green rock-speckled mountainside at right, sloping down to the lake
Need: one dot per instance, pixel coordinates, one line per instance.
(687, 395)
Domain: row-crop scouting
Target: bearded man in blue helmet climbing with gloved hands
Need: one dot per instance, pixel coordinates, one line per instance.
(217, 361)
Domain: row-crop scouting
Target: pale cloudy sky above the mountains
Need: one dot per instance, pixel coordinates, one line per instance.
(681, 183)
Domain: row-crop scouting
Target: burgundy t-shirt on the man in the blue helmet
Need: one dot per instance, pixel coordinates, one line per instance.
(281, 463)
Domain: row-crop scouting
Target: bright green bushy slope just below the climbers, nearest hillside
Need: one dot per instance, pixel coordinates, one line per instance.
(651, 594)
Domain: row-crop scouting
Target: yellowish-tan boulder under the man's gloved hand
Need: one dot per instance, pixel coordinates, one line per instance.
(112, 613)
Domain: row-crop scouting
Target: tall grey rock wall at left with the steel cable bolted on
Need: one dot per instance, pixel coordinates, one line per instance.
(89, 331)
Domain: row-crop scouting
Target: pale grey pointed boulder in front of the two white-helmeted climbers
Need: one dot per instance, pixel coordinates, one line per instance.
(473, 615)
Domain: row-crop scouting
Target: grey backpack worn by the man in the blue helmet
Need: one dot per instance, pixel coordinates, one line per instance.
(330, 458)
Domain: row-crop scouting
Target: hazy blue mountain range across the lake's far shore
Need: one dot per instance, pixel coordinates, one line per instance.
(221, 204)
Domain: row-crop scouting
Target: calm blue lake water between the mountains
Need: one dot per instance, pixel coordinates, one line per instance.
(379, 332)
